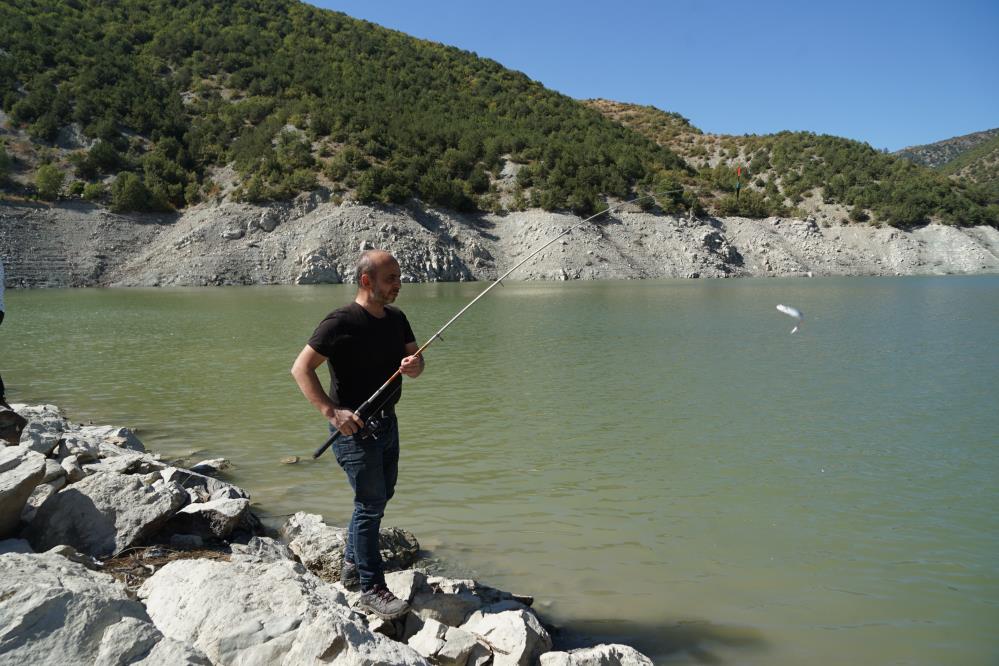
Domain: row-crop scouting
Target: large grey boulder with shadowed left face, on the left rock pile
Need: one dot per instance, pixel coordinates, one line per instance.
(103, 514)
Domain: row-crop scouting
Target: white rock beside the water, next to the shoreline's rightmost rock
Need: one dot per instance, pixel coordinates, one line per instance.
(516, 635)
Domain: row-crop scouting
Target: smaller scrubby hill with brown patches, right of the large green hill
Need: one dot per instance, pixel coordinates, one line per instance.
(806, 173)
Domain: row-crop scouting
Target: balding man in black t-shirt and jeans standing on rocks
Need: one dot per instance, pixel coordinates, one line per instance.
(364, 343)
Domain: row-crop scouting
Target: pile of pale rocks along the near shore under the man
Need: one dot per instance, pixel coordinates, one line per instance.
(111, 555)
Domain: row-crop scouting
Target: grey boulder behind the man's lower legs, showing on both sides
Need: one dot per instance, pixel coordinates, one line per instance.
(320, 546)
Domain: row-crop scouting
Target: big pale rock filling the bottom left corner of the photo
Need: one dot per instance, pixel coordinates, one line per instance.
(58, 612)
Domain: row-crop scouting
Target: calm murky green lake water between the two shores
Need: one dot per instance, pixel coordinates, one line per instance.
(659, 463)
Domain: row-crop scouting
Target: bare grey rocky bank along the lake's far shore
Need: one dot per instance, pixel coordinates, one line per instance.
(315, 239)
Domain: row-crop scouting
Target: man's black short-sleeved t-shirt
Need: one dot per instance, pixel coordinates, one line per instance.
(363, 352)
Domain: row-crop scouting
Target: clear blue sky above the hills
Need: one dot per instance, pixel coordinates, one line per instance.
(890, 73)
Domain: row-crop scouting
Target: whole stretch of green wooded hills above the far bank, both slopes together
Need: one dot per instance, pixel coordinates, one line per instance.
(160, 104)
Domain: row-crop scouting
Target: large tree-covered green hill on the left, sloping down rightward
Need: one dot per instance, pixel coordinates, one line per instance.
(292, 97)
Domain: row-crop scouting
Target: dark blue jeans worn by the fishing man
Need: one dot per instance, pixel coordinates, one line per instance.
(372, 467)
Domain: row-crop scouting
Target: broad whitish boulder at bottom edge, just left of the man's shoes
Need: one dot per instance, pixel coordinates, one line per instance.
(251, 613)
